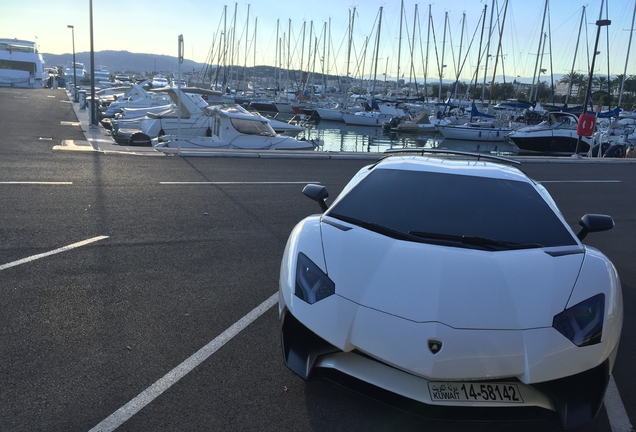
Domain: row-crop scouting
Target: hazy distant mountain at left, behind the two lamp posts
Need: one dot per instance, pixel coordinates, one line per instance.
(125, 62)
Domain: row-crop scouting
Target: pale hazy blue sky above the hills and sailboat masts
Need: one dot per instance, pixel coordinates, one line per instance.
(153, 27)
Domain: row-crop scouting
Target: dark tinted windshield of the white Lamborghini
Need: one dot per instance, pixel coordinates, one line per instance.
(461, 206)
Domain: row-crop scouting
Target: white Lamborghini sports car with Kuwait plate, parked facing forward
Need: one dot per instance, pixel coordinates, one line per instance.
(451, 285)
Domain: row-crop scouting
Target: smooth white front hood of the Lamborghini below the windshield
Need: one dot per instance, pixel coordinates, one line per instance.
(460, 287)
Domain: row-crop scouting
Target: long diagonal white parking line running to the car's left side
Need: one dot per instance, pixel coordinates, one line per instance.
(124, 413)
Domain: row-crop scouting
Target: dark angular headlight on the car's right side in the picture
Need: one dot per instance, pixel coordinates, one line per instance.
(582, 323)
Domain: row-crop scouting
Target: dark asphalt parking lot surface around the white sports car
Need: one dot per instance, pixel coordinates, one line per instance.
(139, 293)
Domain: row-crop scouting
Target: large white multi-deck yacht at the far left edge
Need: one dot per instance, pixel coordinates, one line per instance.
(20, 64)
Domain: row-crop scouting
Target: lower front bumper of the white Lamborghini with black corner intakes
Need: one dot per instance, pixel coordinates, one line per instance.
(566, 402)
